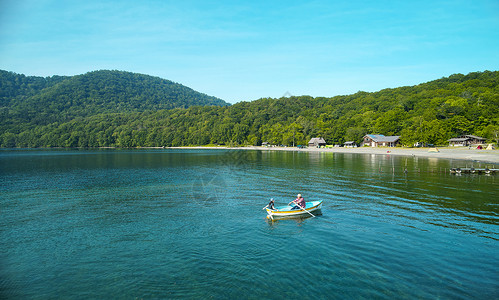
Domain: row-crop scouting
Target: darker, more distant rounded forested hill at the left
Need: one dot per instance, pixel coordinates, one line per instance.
(45, 100)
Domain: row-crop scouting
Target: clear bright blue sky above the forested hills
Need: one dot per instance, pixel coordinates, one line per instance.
(245, 50)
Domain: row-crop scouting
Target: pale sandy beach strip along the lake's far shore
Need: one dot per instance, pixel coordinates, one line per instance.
(458, 153)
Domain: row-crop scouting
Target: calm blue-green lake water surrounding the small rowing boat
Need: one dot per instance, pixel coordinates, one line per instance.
(189, 224)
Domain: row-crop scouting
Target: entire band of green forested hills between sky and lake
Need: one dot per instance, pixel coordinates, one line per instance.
(120, 109)
